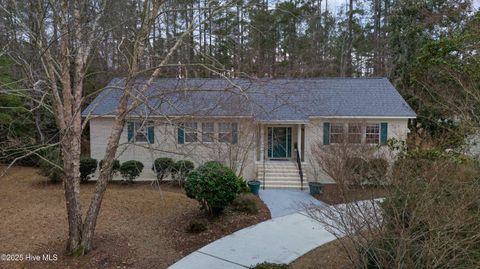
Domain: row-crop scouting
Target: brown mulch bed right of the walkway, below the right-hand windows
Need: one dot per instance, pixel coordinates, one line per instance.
(333, 194)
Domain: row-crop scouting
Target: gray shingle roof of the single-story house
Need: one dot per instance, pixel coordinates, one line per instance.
(265, 99)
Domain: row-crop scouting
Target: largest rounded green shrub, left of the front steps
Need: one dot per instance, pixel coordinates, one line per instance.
(213, 185)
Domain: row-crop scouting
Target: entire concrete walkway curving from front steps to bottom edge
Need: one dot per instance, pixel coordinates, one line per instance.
(282, 239)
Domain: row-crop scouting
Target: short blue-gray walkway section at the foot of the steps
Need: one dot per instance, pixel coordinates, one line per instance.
(282, 202)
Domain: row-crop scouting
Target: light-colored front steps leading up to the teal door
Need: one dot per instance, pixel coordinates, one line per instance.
(280, 174)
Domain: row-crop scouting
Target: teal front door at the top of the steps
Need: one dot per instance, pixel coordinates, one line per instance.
(279, 143)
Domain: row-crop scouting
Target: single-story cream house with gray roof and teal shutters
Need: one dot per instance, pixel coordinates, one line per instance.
(261, 128)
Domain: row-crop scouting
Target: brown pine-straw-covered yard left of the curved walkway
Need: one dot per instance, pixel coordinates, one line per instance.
(138, 227)
